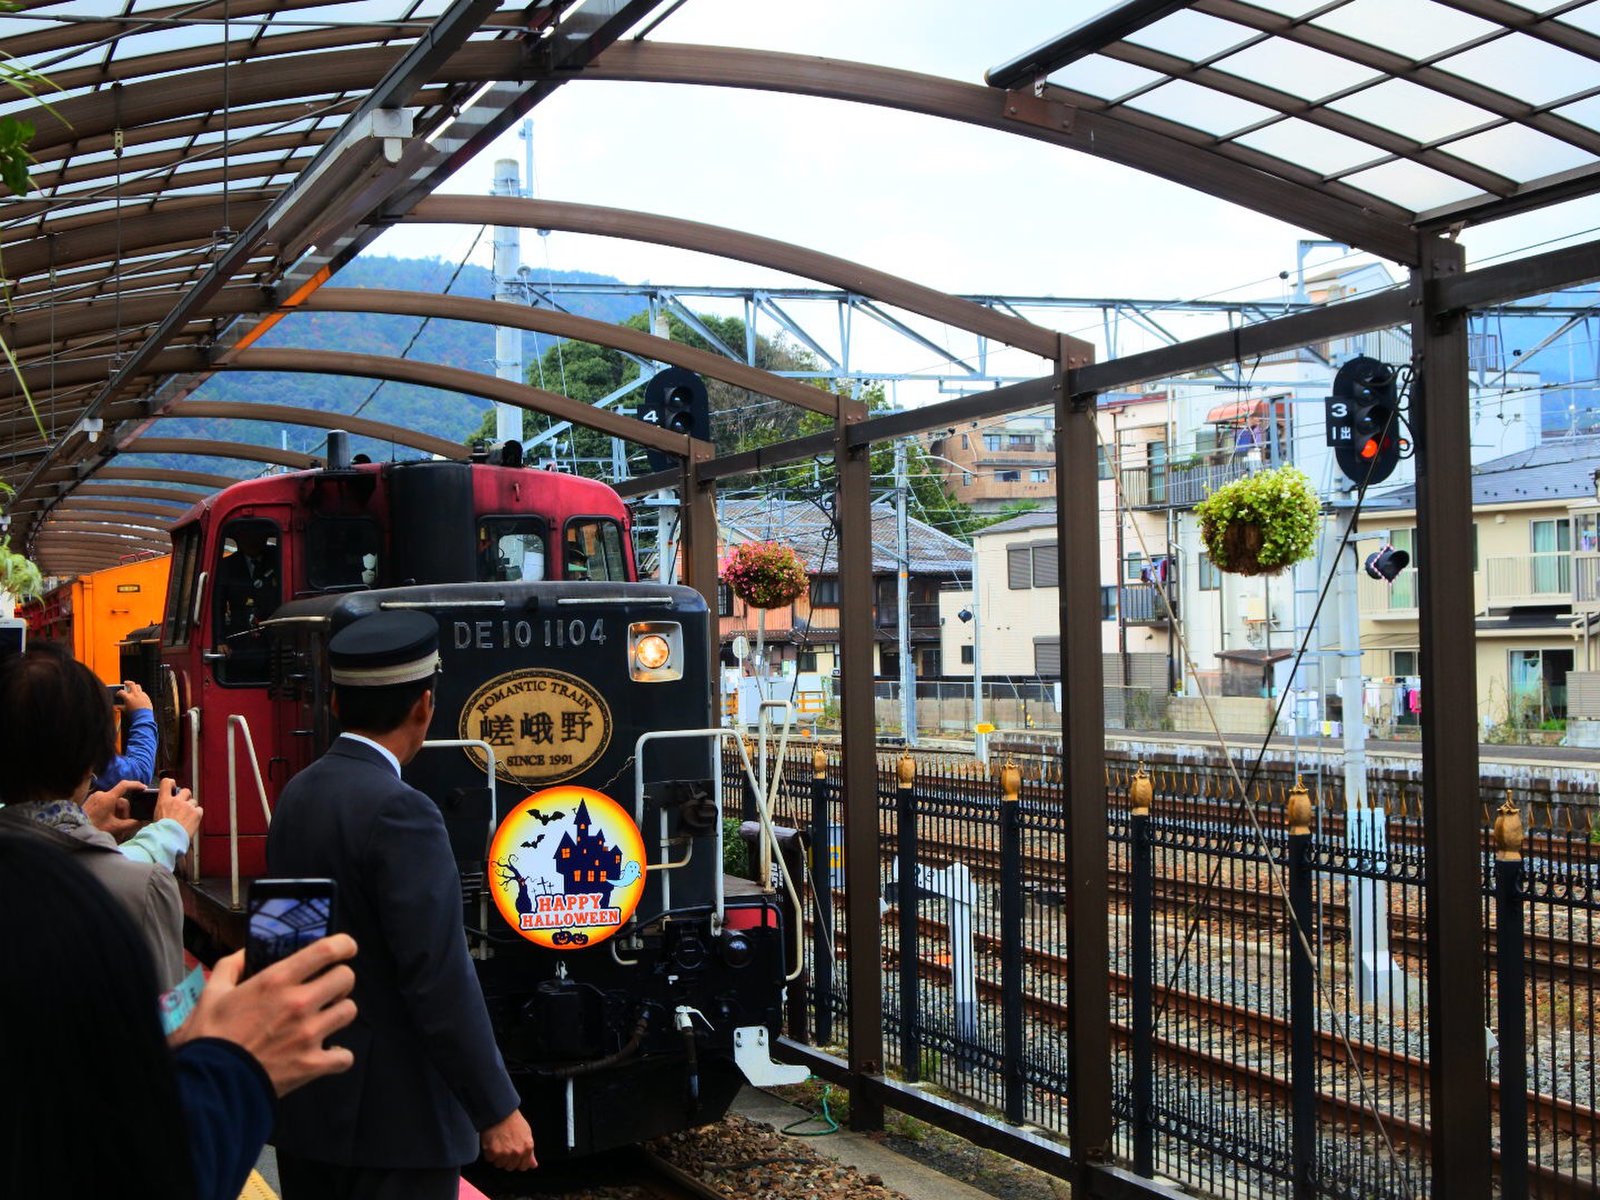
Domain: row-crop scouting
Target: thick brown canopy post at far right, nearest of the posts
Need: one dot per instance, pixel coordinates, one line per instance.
(1460, 1092)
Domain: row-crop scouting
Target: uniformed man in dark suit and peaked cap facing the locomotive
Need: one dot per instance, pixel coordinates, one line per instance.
(430, 1089)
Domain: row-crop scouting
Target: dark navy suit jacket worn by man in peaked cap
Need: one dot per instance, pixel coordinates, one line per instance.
(428, 1076)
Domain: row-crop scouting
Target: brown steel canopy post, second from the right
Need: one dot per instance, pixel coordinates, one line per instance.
(1084, 772)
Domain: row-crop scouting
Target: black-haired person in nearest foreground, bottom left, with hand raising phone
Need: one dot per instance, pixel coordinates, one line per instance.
(167, 1121)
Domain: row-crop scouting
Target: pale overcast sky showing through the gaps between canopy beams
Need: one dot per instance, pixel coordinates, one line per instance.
(943, 204)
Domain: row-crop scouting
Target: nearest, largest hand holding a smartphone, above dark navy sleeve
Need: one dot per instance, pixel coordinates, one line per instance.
(286, 1014)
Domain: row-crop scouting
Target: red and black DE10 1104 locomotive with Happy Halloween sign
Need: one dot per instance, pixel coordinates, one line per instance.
(633, 986)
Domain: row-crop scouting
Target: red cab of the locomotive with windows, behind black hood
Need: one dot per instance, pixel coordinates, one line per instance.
(242, 554)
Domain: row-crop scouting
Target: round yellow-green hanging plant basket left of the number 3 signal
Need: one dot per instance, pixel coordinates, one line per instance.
(1260, 524)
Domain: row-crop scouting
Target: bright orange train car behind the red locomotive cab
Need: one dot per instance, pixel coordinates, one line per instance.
(94, 614)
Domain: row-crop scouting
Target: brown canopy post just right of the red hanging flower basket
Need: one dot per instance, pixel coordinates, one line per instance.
(865, 937)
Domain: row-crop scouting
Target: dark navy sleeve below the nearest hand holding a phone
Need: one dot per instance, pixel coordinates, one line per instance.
(228, 1108)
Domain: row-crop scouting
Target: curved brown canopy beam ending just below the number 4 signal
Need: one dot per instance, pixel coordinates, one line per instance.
(466, 383)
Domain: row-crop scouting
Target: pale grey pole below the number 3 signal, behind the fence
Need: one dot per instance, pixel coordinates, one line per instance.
(1378, 978)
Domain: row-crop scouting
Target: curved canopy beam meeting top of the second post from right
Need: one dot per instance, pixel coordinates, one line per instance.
(505, 210)
